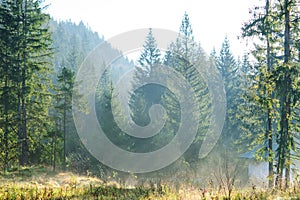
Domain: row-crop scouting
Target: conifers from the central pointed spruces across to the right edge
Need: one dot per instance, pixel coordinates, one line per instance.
(262, 88)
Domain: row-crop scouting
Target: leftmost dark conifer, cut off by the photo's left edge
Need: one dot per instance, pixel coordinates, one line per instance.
(8, 92)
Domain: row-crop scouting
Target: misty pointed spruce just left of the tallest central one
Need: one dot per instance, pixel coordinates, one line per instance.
(145, 94)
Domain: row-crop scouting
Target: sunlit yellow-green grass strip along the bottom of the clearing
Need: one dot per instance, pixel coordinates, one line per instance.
(41, 183)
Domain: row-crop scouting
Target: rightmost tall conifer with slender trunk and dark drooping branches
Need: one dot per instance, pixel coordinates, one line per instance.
(286, 75)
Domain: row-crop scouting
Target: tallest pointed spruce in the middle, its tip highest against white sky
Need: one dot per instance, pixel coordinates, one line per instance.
(185, 56)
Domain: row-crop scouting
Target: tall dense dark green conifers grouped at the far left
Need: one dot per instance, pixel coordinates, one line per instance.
(25, 98)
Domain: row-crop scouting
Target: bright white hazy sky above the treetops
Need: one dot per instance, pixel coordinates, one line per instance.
(211, 20)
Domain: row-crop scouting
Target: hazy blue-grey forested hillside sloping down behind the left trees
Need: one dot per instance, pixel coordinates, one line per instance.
(72, 43)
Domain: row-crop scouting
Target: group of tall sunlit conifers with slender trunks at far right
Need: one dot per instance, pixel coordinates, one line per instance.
(274, 89)
